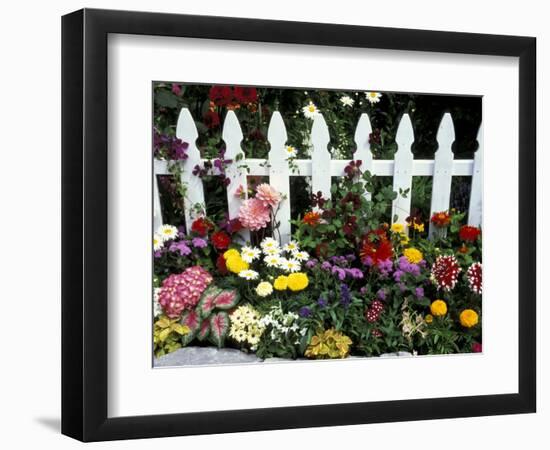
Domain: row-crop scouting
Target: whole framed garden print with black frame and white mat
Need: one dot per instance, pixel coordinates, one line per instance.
(273, 224)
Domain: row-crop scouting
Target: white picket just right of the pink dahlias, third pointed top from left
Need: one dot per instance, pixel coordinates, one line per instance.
(279, 173)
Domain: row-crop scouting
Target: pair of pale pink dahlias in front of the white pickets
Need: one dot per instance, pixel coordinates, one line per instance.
(255, 213)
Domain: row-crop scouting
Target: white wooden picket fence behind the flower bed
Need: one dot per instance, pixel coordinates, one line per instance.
(321, 167)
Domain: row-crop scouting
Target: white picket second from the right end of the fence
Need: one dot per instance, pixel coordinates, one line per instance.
(443, 170)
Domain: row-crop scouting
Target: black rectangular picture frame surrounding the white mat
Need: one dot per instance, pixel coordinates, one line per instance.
(84, 224)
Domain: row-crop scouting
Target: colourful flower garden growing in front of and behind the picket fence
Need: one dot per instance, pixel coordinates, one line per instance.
(348, 282)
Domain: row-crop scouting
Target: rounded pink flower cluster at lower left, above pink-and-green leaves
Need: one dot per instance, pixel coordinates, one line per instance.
(182, 291)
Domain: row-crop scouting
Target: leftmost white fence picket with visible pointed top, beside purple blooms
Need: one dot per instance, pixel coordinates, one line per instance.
(187, 132)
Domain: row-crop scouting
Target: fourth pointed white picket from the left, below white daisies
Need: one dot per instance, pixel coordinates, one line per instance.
(320, 158)
